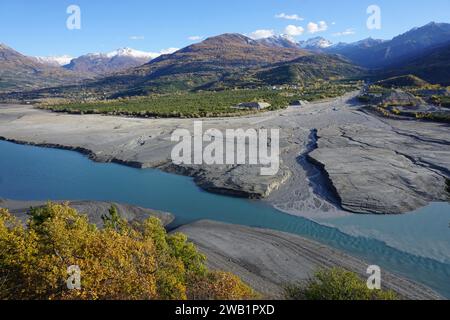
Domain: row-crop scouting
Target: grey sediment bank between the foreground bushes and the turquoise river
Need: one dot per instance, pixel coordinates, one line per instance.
(269, 260)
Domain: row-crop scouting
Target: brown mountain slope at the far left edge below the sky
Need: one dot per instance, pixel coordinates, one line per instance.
(19, 72)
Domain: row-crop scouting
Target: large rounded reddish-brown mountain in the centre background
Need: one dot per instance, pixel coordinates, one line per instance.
(221, 62)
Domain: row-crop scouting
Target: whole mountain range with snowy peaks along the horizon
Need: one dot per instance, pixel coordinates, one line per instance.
(234, 60)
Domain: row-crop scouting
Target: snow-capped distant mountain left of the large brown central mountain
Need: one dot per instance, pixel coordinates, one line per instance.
(100, 64)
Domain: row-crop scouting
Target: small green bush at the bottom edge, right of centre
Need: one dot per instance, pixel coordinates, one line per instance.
(336, 284)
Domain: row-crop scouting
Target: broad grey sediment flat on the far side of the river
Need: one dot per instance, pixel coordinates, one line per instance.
(335, 157)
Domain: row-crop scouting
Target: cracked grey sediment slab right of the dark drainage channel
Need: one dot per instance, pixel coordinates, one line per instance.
(373, 171)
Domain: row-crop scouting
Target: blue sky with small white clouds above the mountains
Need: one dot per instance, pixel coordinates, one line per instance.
(39, 28)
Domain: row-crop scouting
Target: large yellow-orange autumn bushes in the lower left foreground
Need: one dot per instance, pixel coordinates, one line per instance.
(138, 261)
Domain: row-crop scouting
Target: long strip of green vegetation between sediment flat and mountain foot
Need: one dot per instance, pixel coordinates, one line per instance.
(198, 104)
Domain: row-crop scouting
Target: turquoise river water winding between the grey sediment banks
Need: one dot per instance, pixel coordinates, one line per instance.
(32, 173)
